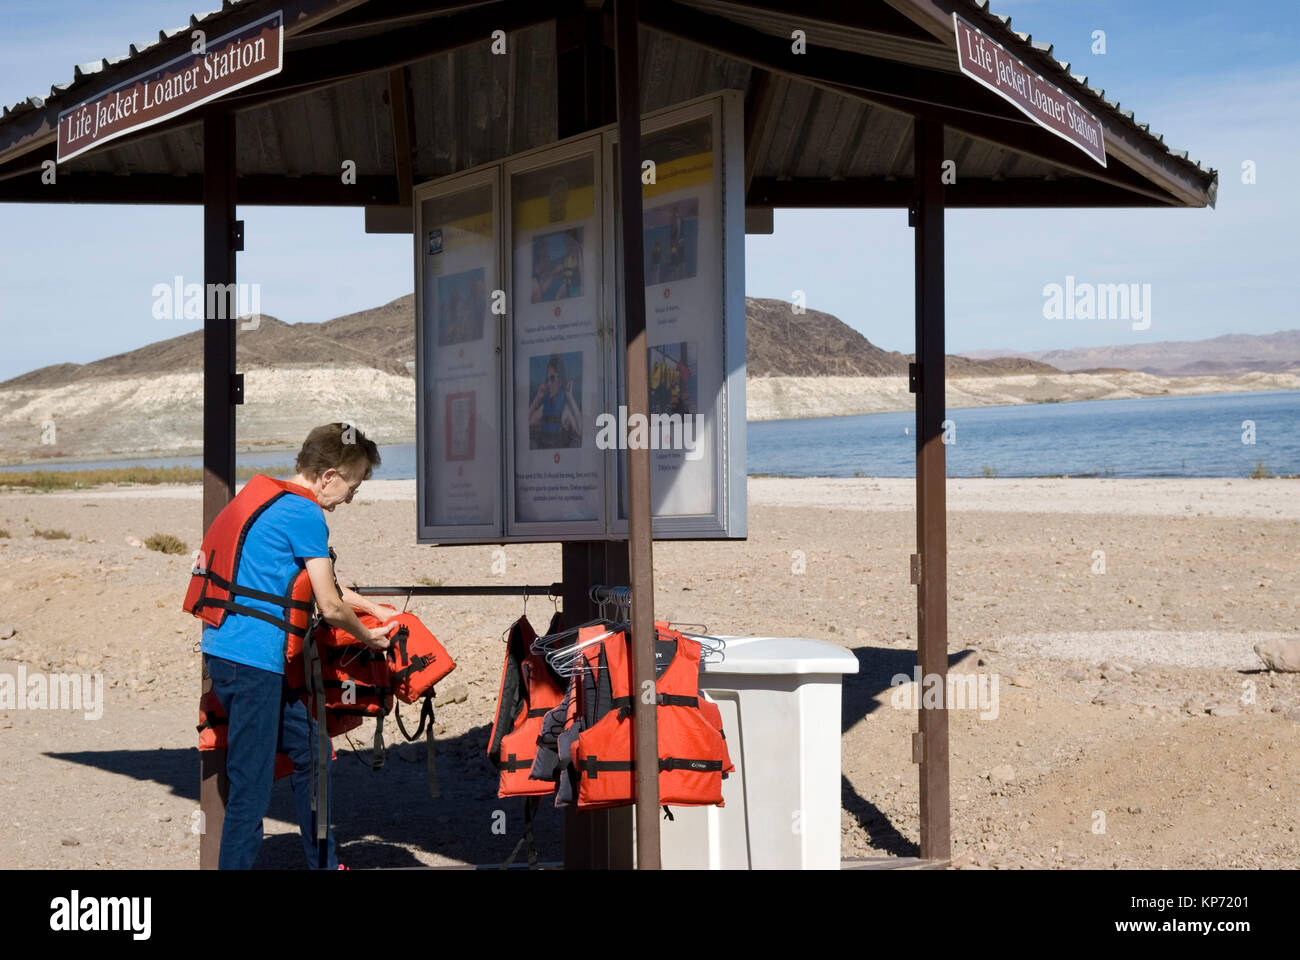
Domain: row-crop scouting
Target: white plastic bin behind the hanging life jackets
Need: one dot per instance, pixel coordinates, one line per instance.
(782, 713)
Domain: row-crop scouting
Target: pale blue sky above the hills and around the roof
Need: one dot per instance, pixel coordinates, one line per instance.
(1214, 77)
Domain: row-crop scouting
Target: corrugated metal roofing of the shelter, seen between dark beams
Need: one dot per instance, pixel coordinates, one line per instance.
(474, 107)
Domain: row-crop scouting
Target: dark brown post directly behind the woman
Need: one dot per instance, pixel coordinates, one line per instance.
(219, 412)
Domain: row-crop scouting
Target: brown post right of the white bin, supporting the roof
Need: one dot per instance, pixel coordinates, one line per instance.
(928, 380)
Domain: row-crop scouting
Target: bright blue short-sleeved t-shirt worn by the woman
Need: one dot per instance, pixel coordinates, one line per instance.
(289, 531)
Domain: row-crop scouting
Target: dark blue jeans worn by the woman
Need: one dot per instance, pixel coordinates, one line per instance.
(263, 720)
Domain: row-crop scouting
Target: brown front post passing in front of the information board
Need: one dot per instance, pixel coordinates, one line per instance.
(640, 553)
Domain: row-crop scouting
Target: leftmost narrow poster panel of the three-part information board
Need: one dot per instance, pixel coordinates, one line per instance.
(461, 379)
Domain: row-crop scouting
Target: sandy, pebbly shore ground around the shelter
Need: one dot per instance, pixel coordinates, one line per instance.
(1128, 687)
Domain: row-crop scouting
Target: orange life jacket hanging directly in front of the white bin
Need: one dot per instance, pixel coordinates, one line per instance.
(692, 749)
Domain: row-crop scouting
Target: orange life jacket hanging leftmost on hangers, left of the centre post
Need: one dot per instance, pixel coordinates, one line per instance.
(528, 691)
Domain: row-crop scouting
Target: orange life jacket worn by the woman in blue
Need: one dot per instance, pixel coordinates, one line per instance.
(214, 585)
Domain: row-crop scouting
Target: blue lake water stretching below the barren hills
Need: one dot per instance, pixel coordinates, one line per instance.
(1158, 436)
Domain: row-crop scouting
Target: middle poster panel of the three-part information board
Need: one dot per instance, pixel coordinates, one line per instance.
(558, 369)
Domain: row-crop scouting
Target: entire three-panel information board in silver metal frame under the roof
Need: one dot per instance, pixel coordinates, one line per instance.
(521, 345)
